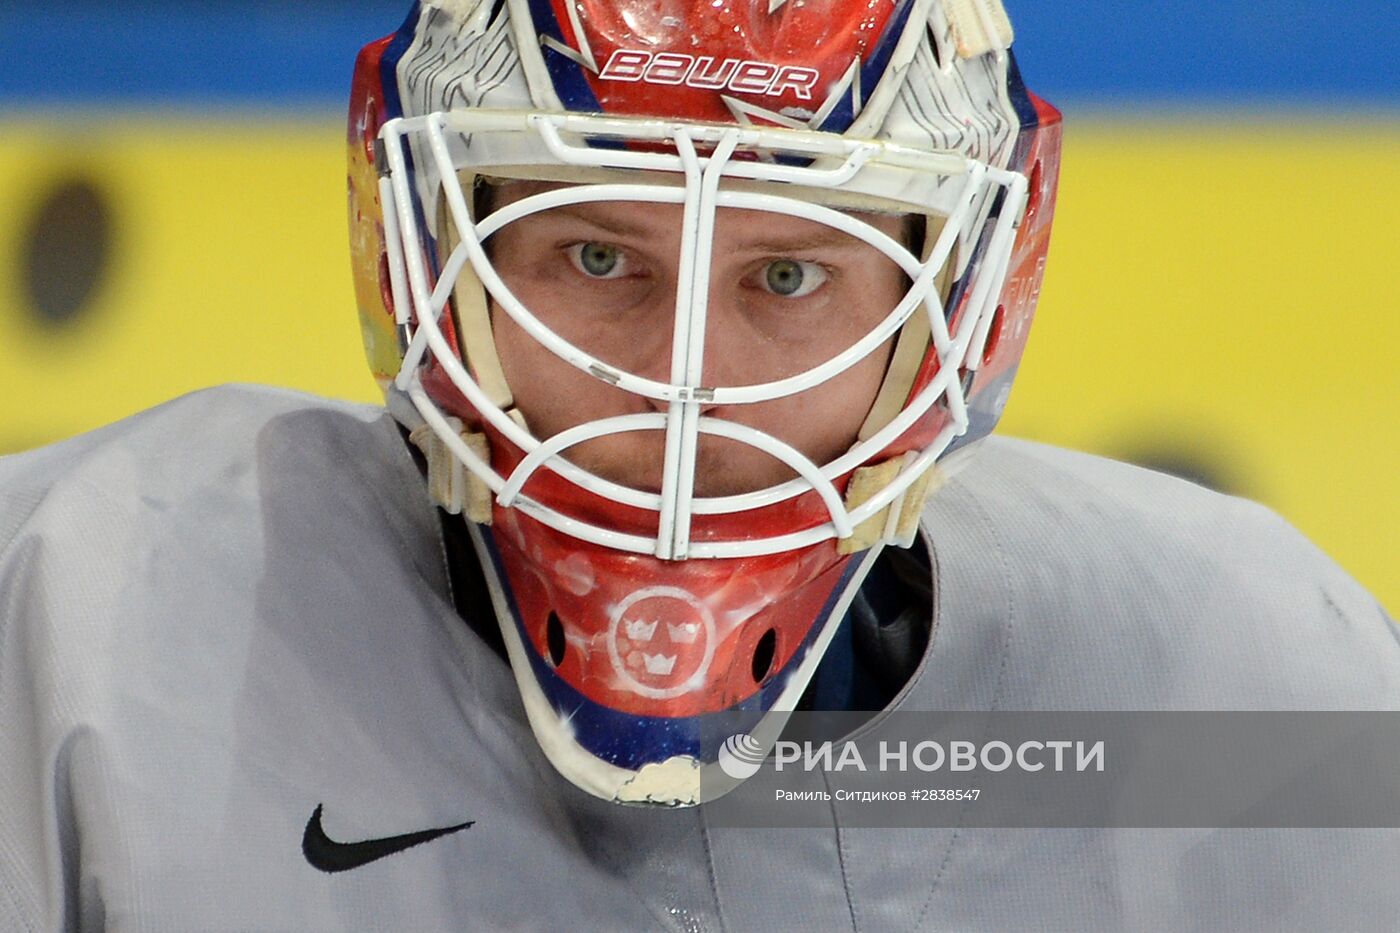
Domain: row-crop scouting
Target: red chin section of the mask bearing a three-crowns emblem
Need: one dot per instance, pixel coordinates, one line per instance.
(659, 638)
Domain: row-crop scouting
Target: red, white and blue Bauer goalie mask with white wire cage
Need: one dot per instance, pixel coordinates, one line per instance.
(664, 540)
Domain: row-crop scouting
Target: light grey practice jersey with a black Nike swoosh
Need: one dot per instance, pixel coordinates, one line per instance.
(233, 613)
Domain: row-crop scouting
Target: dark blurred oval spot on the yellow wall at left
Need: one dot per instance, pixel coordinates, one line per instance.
(66, 249)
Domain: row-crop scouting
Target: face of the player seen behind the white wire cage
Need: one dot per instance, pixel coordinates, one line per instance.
(786, 295)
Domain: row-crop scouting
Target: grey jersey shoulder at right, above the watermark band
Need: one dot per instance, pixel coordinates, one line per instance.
(1119, 585)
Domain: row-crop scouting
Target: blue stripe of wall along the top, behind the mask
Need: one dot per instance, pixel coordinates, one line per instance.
(303, 51)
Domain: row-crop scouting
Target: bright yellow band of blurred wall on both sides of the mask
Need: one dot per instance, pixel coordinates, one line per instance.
(1220, 295)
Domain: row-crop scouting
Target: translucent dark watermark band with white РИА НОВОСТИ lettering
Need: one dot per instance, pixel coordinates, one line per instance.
(1200, 770)
